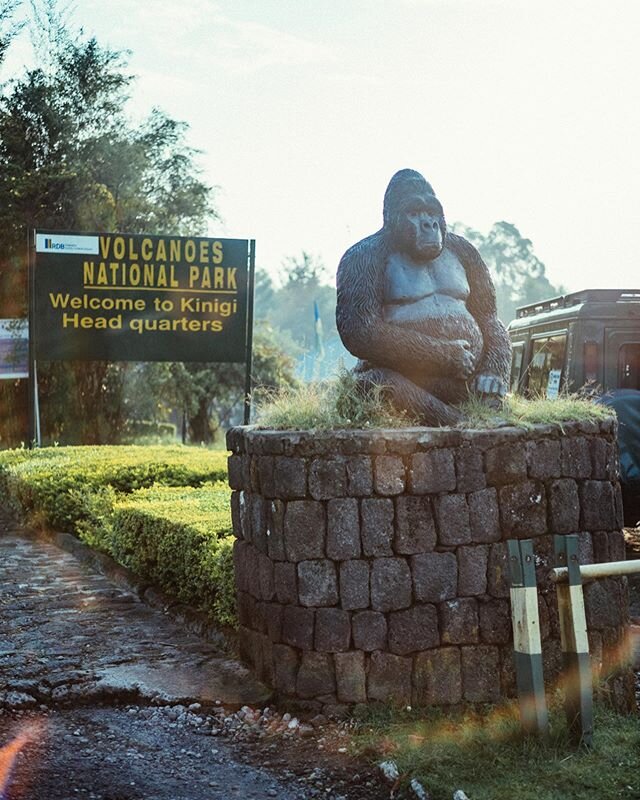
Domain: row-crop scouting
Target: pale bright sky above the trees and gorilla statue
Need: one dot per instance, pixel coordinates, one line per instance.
(520, 110)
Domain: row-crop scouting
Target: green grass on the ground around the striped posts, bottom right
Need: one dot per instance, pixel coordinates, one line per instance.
(486, 756)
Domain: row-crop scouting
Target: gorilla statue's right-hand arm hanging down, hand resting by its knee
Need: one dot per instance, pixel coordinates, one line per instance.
(492, 370)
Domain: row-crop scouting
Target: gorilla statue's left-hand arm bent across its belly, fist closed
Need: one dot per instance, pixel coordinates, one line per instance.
(360, 319)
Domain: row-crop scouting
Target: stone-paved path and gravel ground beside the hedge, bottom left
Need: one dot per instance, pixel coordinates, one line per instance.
(119, 702)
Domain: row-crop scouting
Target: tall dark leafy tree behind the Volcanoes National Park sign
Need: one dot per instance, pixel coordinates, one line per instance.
(71, 159)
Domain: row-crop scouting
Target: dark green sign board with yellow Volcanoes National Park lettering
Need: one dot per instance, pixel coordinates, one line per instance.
(120, 297)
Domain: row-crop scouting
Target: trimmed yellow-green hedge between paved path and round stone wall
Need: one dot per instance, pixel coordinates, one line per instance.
(163, 512)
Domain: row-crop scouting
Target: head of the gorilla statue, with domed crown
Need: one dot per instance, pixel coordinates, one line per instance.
(413, 216)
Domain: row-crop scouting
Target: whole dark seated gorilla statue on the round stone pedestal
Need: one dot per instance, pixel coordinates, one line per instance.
(417, 306)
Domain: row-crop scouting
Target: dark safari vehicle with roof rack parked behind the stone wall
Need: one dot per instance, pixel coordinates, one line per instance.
(587, 340)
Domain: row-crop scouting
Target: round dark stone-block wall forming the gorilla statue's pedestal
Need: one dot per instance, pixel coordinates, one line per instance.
(371, 565)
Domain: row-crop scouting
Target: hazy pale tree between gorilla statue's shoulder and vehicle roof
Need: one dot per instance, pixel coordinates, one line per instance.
(518, 274)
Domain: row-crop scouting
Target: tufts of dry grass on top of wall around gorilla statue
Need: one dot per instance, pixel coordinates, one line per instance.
(340, 403)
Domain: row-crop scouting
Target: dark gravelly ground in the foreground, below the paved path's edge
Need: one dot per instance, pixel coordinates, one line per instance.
(141, 754)
